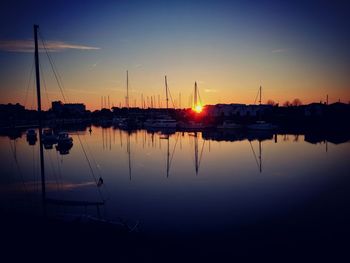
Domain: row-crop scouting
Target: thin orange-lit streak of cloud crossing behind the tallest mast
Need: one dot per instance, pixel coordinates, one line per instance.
(28, 46)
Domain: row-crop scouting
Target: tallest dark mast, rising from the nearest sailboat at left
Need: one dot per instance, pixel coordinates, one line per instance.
(37, 75)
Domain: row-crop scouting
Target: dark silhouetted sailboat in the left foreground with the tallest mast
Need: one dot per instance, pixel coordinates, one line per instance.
(49, 201)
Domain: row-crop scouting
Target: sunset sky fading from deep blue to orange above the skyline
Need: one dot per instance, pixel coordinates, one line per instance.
(292, 49)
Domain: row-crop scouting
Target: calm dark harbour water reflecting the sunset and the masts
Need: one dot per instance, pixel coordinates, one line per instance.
(200, 196)
